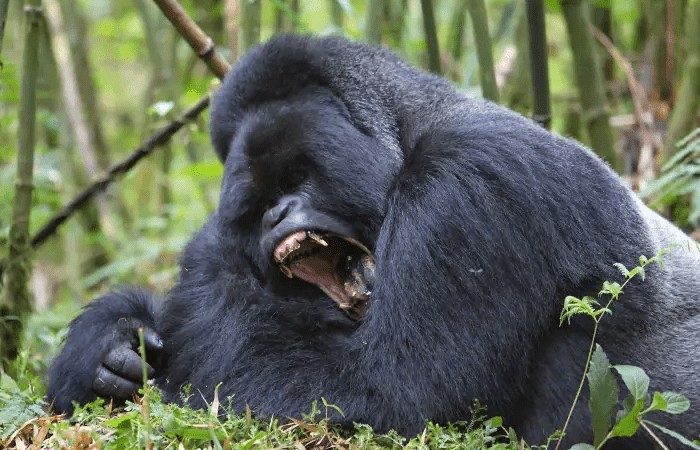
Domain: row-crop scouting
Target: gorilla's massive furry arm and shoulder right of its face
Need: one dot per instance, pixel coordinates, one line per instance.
(485, 233)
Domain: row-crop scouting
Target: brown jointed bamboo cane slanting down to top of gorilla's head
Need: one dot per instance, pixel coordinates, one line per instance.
(202, 44)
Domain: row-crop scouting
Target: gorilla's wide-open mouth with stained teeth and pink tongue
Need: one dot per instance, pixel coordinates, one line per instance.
(340, 266)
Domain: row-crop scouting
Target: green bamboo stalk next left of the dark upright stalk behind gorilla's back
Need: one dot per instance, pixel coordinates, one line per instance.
(482, 38)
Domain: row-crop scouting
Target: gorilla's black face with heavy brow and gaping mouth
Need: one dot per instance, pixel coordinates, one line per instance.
(306, 192)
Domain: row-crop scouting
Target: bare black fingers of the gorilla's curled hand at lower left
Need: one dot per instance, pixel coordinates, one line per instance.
(120, 373)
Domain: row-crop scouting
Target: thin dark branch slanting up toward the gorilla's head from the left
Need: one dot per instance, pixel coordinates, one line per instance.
(157, 139)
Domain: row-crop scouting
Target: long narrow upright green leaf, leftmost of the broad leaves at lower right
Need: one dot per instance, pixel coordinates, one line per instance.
(603, 394)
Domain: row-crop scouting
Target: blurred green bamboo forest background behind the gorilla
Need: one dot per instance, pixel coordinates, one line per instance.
(111, 73)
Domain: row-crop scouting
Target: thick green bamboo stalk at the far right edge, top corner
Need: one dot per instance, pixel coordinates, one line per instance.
(685, 111)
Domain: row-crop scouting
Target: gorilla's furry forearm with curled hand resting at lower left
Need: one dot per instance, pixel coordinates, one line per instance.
(100, 357)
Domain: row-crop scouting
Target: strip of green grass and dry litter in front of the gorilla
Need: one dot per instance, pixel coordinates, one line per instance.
(148, 423)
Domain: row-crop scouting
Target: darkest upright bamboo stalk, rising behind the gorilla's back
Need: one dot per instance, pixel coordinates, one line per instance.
(539, 68)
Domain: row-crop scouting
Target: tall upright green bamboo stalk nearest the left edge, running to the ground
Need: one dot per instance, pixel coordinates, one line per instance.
(17, 303)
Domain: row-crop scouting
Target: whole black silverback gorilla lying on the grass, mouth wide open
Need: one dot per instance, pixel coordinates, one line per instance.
(400, 249)
